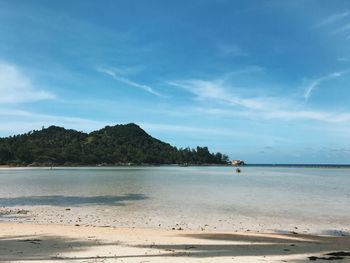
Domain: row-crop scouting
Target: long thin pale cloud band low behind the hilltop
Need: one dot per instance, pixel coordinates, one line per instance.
(15, 121)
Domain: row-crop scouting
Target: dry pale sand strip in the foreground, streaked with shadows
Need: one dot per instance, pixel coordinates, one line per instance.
(61, 243)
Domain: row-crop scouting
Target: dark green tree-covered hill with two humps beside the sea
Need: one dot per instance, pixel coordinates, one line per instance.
(117, 145)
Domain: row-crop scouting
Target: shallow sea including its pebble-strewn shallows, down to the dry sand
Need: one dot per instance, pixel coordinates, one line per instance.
(259, 198)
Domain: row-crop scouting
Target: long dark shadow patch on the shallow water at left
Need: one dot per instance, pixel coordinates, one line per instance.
(61, 200)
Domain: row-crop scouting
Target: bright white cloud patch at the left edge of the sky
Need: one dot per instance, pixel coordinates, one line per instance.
(15, 87)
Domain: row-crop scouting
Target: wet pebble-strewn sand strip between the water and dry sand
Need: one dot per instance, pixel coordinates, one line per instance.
(127, 216)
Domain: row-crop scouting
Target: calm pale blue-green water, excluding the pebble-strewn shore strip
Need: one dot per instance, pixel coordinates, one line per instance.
(304, 195)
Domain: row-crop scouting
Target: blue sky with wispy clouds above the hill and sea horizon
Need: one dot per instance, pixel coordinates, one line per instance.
(262, 81)
